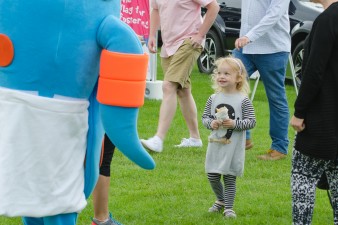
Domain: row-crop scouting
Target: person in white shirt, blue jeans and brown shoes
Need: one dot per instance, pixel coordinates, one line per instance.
(264, 46)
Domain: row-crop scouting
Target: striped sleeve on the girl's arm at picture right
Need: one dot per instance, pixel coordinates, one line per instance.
(249, 119)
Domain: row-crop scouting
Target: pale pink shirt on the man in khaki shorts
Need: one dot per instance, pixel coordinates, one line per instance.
(180, 19)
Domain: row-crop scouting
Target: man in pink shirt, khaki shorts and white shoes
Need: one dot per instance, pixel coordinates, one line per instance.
(183, 34)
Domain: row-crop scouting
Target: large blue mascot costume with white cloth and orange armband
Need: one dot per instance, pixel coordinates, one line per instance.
(69, 71)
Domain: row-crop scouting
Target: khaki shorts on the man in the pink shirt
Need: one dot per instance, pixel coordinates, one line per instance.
(177, 68)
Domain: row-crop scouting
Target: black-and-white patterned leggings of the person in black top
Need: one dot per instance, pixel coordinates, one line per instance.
(306, 171)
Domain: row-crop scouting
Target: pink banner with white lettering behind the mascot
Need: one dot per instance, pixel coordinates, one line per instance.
(135, 13)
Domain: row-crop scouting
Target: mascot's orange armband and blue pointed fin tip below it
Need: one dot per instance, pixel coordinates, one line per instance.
(120, 91)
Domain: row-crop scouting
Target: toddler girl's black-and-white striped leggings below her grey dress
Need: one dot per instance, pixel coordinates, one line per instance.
(226, 193)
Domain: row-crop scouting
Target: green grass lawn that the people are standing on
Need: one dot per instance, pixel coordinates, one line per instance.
(178, 192)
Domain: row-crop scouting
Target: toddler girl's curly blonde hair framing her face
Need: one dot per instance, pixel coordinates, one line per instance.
(237, 65)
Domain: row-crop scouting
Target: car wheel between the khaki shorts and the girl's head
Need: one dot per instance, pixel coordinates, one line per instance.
(212, 50)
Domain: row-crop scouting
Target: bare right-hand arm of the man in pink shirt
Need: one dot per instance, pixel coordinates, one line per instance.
(209, 18)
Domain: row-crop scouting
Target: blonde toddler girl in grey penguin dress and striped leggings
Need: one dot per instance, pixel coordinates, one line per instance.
(228, 113)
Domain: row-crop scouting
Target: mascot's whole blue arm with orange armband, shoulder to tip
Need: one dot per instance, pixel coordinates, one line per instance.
(120, 90)
